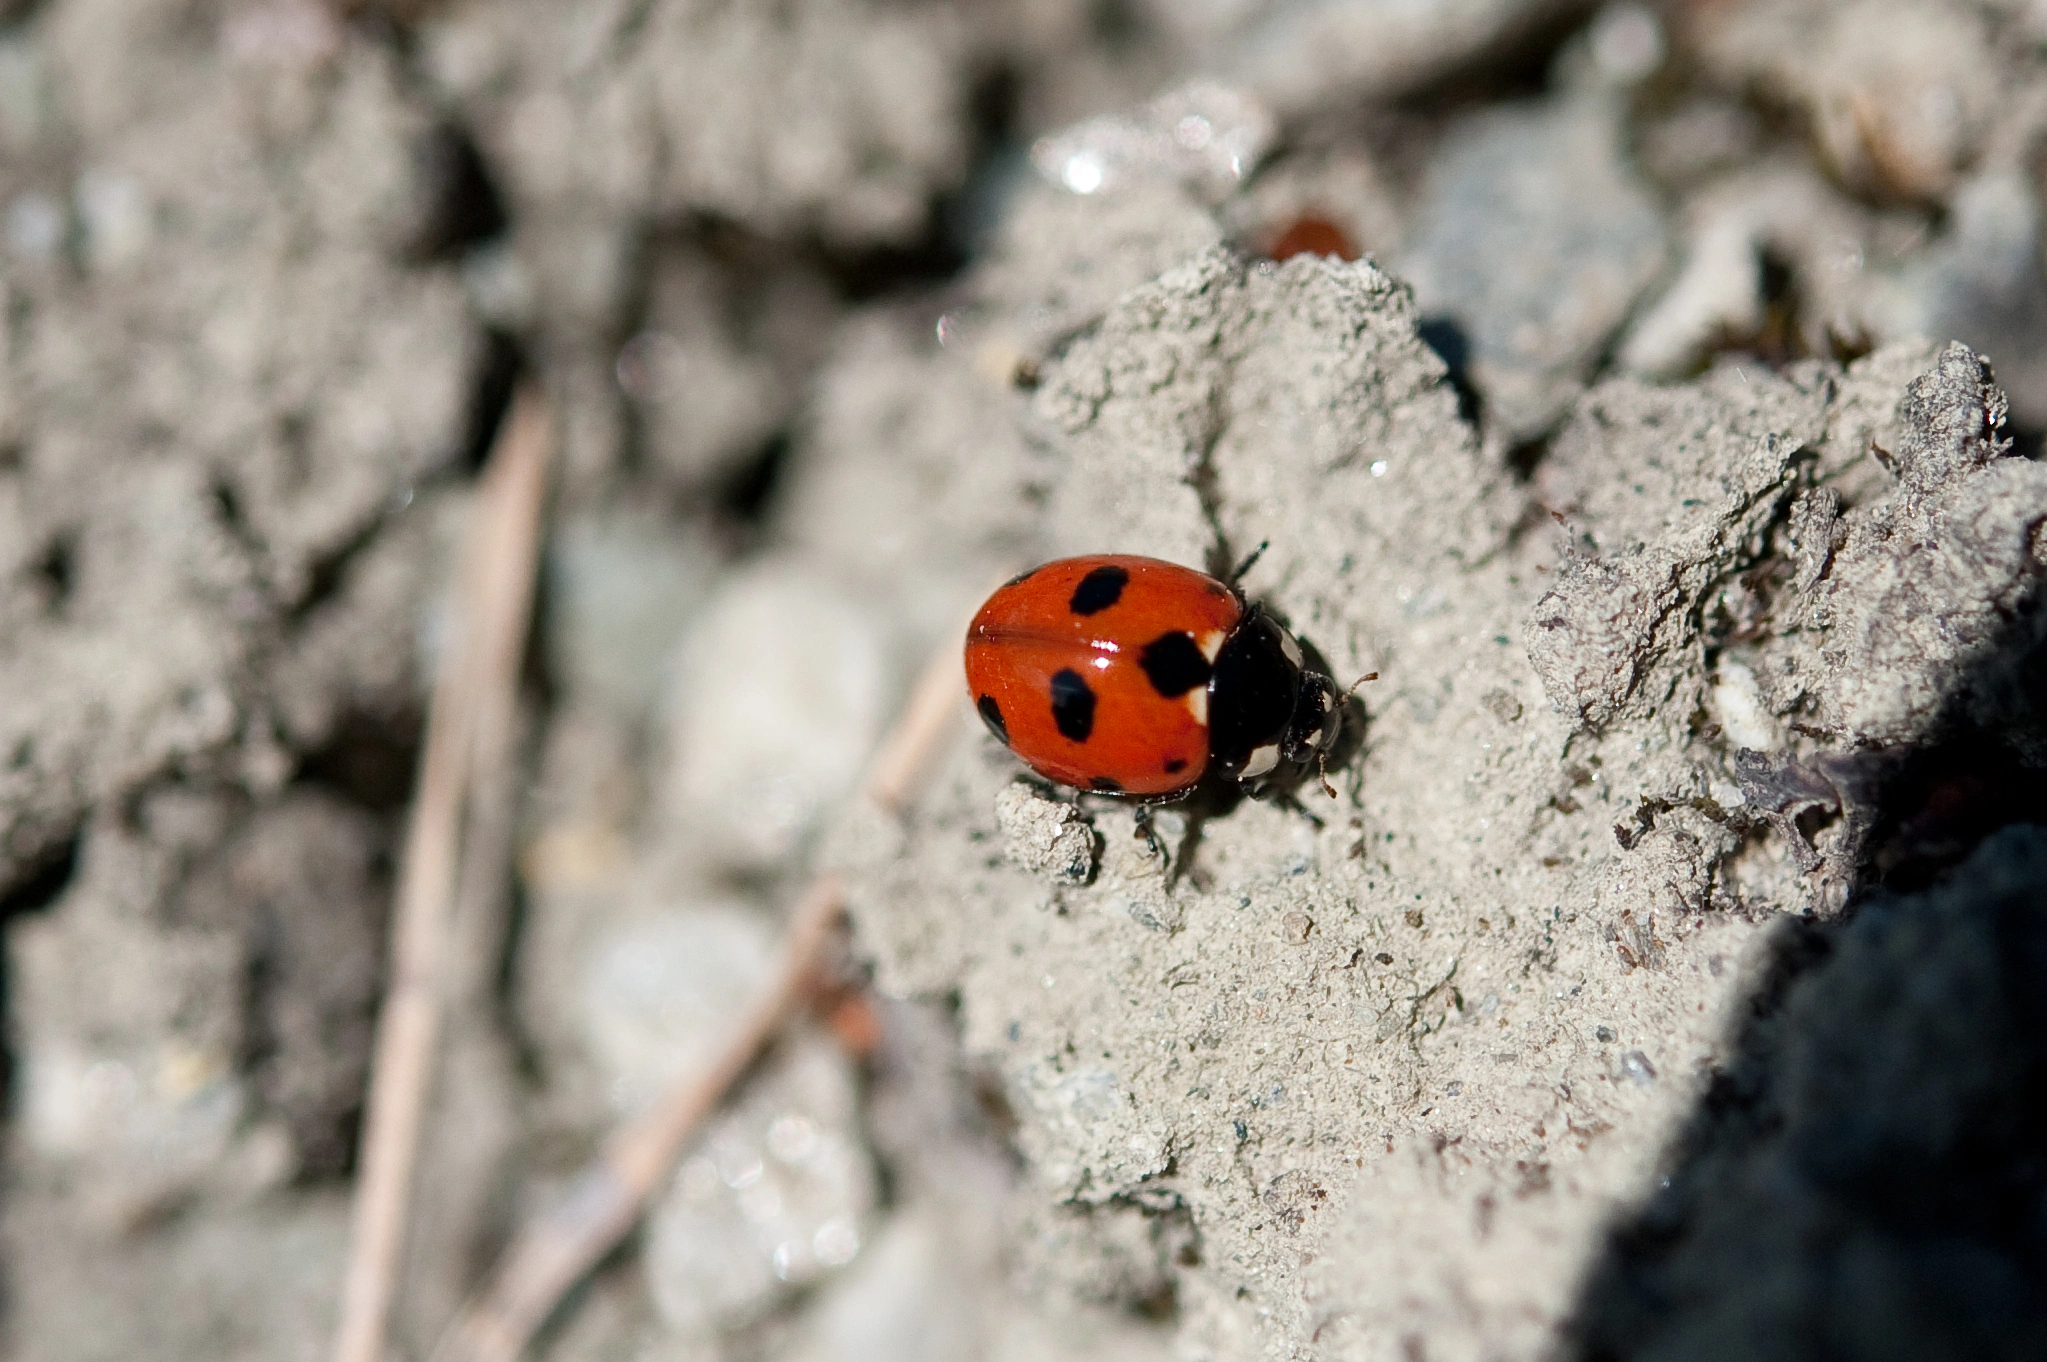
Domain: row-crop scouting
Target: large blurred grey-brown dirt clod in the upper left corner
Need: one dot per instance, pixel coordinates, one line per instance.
(200, 450)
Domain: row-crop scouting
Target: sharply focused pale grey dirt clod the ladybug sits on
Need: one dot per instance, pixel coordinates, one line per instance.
(1526, 929)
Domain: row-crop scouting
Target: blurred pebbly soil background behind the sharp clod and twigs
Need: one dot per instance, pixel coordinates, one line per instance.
(269, 280)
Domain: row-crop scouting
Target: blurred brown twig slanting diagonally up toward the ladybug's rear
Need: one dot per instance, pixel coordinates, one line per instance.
(607, 1199)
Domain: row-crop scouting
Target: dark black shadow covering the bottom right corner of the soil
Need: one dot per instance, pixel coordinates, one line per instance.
(1868, 1179)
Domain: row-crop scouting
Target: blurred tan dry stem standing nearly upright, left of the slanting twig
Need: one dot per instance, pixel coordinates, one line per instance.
(476, 685)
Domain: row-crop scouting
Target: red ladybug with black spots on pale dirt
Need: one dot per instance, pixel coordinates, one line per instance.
(1135, 677)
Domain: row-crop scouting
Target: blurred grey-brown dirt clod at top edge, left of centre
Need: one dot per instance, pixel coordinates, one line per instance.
(820, 118)
